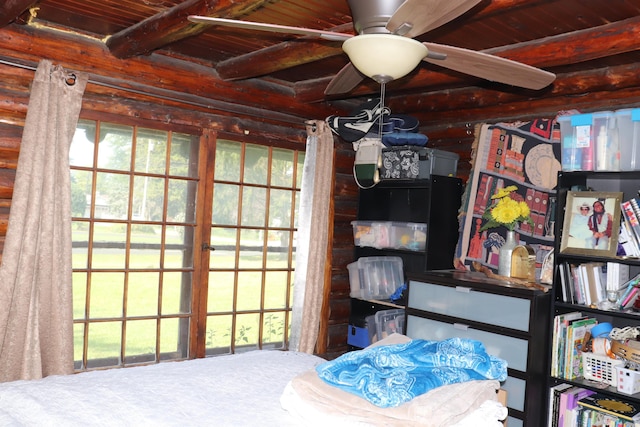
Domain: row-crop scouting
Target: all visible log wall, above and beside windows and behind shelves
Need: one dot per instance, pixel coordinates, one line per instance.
(191, 99)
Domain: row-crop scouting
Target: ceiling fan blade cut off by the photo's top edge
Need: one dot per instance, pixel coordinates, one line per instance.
(425, 15)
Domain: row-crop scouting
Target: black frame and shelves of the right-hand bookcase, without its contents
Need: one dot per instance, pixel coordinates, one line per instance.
(627, 183)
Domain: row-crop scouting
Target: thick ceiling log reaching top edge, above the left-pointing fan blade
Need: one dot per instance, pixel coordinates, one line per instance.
(172, 25)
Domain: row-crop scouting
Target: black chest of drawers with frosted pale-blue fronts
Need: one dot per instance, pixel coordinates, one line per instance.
(511, 321)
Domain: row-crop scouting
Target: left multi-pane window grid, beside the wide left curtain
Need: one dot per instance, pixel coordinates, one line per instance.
(132, 244)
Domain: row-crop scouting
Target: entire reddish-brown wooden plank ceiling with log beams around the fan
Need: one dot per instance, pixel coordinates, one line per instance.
(561, 36)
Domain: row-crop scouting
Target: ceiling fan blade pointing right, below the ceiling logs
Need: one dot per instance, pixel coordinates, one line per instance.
(489, 67)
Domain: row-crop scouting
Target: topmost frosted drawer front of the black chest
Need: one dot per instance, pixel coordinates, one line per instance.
(463, 302)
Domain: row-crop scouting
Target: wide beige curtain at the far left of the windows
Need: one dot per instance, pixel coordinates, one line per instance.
(36, 318)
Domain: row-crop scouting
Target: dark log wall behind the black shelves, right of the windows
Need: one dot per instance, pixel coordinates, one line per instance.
(448, 118)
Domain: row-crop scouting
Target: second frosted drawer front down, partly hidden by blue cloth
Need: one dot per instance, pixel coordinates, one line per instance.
(513, 350)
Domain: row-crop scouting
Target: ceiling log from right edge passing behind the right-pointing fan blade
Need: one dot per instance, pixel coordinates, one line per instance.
(571, 48)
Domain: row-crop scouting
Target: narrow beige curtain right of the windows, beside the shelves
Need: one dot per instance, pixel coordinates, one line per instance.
(312, 241)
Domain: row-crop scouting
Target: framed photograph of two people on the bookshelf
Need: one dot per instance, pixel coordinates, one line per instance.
(591, 223)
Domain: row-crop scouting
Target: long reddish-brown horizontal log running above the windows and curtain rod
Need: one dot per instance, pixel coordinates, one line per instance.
(157, 75)
